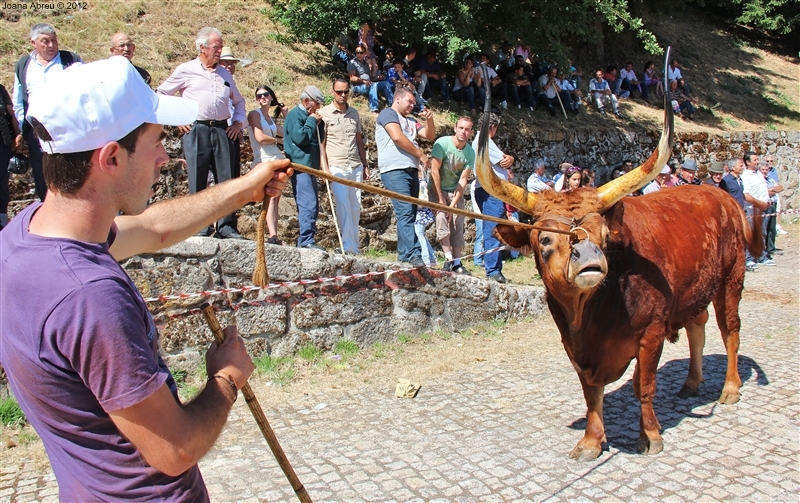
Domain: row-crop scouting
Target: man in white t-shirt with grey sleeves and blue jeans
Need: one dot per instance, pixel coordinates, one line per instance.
(399, 157)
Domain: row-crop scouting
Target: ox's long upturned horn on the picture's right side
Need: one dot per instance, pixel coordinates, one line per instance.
(615, 190)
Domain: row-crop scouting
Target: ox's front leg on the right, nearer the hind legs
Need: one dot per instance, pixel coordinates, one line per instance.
(644, 386)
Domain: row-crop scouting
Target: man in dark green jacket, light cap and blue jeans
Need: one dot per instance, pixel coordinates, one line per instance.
(303, 131)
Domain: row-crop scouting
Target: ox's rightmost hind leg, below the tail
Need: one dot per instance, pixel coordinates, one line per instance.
(726, 306)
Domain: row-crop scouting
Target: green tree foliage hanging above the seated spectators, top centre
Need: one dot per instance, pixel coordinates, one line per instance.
(458, 27)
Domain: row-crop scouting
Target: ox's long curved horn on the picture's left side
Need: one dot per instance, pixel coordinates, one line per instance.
(491, 183)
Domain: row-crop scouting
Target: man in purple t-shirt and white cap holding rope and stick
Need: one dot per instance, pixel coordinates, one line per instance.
(76, 339)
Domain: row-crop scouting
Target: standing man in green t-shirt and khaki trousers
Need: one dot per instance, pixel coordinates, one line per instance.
(452, 161)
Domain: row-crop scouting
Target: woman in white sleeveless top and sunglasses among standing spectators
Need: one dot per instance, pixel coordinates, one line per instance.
(265, 137)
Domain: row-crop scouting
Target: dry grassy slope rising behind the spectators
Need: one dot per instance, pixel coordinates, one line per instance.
(739, 87)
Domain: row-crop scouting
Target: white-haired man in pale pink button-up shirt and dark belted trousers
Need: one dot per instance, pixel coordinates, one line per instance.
(205, 142)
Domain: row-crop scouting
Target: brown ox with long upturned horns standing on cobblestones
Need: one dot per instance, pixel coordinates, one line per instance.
(632, 272)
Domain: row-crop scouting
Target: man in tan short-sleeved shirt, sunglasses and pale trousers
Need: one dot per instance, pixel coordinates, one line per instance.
(343, 155)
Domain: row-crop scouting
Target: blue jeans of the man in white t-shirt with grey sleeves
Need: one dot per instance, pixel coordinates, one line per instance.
(404, 181)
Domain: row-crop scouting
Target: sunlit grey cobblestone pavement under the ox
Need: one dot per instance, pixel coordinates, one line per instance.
(500, 429)
